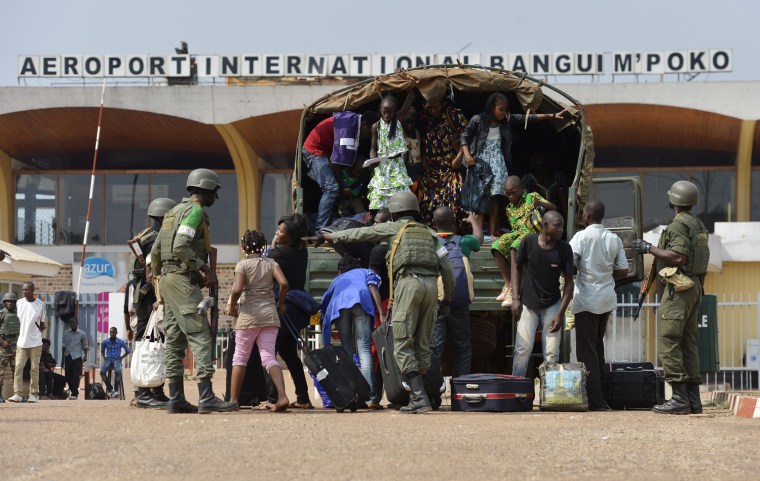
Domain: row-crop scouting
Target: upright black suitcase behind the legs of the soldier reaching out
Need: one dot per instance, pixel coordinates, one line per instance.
(396, 389)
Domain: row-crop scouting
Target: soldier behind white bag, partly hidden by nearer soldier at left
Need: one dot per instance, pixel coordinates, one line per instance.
(145, 301)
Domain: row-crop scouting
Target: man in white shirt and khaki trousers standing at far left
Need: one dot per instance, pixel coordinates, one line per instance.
(31, 315)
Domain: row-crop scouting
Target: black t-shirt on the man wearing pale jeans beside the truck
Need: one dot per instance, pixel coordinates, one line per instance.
(541, 270)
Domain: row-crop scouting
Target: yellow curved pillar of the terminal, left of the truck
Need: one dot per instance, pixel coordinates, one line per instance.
(246, 162)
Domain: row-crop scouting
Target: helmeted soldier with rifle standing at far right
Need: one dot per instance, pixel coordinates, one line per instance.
(683, 245)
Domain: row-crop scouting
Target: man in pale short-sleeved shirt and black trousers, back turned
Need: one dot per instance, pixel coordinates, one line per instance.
(600, 259)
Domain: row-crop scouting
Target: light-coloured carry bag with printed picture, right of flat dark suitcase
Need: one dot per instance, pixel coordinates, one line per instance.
(563, 387)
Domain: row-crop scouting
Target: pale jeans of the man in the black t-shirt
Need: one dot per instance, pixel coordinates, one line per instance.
(526, 334)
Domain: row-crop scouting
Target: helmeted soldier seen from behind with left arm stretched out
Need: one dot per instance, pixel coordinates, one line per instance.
(418, 261)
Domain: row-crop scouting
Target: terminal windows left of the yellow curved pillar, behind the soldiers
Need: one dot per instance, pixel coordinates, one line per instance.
(51, 209)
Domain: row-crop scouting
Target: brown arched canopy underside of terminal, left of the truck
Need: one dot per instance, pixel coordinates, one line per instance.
(64, 138)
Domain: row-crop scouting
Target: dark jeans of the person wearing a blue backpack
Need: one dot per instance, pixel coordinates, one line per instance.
(457, 327)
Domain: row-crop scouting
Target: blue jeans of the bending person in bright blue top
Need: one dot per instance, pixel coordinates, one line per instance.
(355, 324)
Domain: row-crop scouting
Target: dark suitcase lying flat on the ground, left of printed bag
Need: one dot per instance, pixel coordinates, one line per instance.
(492, 392)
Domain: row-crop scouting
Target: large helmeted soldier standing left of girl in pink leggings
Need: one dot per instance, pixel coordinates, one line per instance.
(181, 253)
